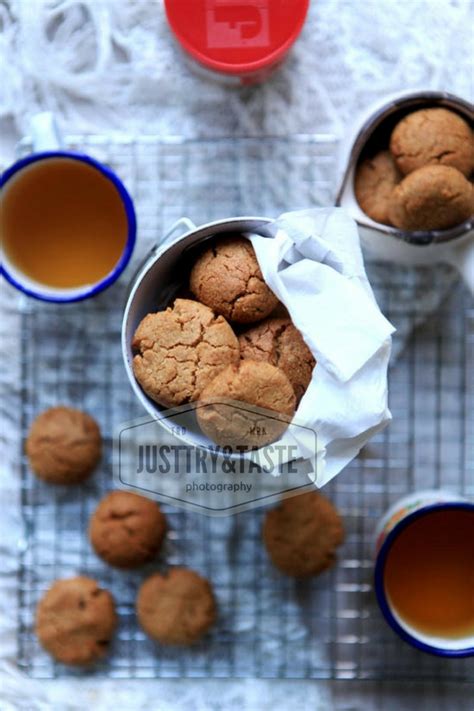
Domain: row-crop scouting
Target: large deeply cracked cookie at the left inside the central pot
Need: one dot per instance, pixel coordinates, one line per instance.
(180, 350)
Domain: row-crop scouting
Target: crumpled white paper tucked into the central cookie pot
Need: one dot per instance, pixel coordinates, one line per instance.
(314, 265)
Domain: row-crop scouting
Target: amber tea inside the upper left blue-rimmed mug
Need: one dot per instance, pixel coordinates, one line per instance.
(62, 223)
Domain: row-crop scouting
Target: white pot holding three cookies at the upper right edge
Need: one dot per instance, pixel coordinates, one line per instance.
(407, 180)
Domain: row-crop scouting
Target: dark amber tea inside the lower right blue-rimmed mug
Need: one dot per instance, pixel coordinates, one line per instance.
(429, 574)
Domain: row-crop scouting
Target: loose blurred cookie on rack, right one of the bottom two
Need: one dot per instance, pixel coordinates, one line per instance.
(177, 607)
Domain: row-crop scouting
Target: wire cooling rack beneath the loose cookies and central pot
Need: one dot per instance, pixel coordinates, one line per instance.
(268, 625)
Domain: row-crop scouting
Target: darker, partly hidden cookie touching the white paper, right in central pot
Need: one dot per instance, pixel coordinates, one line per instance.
(278, 341)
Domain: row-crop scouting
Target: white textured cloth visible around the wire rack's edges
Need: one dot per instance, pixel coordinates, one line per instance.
(111, 65)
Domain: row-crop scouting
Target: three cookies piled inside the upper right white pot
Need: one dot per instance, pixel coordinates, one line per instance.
(420, 181)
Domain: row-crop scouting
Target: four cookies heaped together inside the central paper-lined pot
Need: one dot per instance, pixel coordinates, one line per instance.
(231, 343)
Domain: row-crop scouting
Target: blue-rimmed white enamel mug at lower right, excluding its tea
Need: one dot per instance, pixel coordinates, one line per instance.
(399, 517)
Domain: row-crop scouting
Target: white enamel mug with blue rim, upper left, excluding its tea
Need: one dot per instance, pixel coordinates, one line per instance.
(47, 147)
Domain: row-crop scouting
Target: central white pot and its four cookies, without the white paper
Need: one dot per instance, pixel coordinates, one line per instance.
(198, 305)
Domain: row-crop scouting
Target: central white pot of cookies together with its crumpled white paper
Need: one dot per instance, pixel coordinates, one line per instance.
(262, 338)
